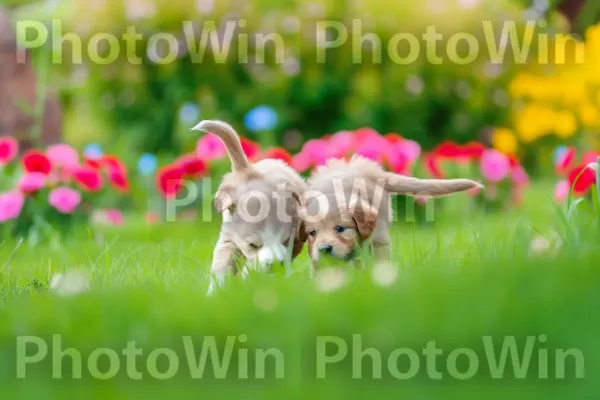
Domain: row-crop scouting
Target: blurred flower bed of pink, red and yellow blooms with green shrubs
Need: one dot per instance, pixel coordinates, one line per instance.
(497, 122)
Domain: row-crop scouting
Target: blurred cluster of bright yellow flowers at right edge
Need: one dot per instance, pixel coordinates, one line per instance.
(555, 105)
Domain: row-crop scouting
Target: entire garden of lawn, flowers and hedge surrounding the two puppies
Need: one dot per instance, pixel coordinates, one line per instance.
(108, 226)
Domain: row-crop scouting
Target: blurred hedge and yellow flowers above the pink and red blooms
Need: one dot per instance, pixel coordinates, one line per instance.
(526, 108)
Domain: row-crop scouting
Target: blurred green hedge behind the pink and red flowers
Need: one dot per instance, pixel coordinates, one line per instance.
(149, 107)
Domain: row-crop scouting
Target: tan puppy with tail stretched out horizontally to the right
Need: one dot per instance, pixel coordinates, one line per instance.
(348, 203)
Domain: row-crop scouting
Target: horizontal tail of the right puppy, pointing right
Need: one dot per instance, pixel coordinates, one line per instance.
(400, 184)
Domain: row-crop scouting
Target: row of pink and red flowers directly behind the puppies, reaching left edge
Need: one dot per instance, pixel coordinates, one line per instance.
(56, 189)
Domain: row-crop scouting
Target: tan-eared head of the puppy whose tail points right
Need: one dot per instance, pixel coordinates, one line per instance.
(336, 231)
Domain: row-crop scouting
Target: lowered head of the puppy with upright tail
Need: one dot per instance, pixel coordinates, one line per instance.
(261, 220)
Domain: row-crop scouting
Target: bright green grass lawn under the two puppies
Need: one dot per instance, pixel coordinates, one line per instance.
(466, 276)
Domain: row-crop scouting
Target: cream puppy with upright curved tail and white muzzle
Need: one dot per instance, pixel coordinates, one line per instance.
(259, 203)
